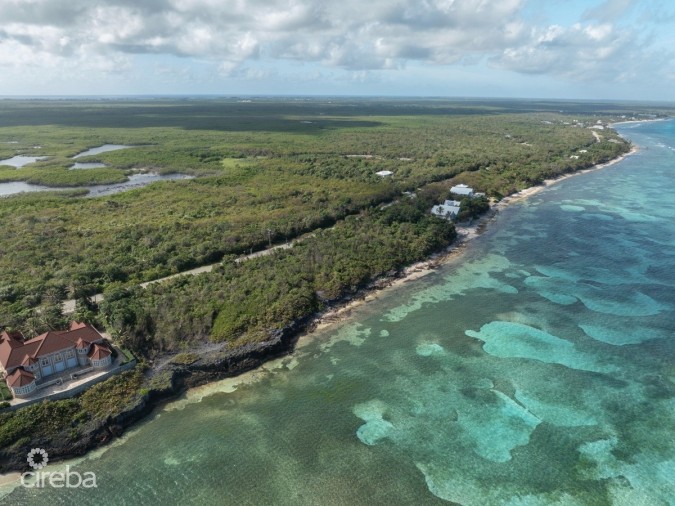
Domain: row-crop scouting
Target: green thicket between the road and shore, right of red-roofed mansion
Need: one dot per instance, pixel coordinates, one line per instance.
(245, 302)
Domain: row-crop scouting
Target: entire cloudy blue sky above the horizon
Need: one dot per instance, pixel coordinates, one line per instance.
(576, 49)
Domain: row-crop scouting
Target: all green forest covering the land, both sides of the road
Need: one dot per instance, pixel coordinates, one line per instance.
(266, 170)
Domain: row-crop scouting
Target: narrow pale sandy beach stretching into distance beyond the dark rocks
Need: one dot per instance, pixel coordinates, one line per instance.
(465, 233)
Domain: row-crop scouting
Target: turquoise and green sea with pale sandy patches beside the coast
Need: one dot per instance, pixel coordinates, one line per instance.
(538, 368)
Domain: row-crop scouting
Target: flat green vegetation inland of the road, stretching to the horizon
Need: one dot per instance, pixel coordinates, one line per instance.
(268, 171)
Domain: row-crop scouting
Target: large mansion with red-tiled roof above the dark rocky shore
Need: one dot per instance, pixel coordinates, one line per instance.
(26, 363)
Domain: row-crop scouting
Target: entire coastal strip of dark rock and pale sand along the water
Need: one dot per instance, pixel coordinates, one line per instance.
(217, 363)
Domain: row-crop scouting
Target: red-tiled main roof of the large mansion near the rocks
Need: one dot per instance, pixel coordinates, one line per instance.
(14, 352)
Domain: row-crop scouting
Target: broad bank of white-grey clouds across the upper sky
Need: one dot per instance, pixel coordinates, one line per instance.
(348, 34)
